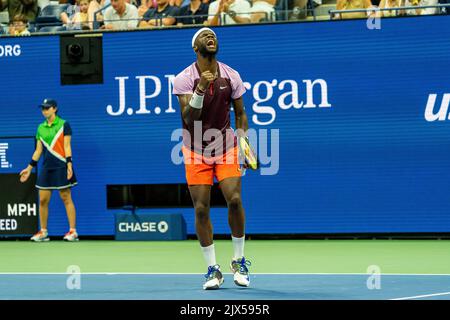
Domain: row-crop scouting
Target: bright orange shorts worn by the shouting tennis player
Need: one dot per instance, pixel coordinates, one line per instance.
(201, 170)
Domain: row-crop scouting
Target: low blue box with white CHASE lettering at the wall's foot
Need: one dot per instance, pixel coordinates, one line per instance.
(144, 226)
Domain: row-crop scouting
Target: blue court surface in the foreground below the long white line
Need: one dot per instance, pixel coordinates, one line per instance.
(189, 287)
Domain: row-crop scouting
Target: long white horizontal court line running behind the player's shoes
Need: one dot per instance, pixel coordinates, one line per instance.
(196, 273)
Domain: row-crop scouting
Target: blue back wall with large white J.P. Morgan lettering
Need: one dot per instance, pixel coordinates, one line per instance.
(361, 116)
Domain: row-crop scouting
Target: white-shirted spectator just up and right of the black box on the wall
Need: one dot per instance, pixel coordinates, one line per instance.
(121, 15)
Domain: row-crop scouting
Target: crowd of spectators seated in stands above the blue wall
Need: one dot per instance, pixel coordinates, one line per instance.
(131, 14)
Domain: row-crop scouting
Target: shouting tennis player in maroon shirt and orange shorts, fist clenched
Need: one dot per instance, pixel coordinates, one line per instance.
(205, 92)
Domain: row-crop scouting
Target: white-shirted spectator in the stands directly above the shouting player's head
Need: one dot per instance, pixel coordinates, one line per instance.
(229, 12)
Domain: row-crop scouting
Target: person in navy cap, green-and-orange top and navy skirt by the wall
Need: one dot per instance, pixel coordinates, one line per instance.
(54, 143)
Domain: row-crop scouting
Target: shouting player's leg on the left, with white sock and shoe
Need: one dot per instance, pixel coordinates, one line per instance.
(201, 195)
